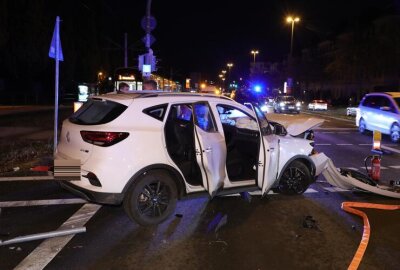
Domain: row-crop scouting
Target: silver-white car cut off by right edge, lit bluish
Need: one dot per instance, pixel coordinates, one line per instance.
(380, 111)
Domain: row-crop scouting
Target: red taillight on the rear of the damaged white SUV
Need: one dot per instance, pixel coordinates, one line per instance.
(103, 138)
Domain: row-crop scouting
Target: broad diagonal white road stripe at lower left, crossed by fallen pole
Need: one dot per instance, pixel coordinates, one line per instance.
(48, 249)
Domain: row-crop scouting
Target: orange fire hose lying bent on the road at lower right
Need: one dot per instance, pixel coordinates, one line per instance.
(348, 207)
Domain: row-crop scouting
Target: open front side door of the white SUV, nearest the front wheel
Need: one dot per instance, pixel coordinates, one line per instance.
(269, 152)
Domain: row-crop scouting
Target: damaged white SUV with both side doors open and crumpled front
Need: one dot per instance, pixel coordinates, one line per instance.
(149, 149)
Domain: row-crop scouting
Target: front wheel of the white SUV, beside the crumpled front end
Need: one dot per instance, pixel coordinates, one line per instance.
(295, 179)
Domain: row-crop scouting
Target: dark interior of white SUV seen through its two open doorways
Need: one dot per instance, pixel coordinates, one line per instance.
(242, 143)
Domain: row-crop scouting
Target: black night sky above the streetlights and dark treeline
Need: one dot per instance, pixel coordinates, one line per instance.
(191, 36)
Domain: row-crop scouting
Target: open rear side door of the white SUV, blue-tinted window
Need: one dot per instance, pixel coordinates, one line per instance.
(210, 148)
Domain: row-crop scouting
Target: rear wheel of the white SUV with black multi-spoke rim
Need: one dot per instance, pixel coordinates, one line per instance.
(151, 199)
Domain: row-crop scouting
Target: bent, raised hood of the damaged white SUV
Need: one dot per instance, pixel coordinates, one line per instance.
(297, 126)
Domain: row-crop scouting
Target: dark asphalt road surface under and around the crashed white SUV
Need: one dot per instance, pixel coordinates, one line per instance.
(275, 232)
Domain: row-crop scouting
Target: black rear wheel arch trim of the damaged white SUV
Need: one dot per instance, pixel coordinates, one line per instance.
(174, 173)
